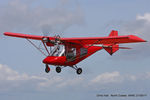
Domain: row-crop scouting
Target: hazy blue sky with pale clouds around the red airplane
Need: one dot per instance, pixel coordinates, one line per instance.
(22, 74)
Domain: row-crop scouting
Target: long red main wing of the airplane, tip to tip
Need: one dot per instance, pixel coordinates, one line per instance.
(111, 39)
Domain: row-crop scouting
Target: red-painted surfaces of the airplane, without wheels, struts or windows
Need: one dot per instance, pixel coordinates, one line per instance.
(110, 44)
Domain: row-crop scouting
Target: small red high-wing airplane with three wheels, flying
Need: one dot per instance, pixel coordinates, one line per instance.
(63, 52)
